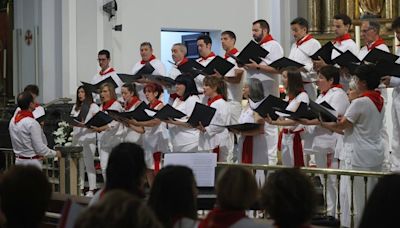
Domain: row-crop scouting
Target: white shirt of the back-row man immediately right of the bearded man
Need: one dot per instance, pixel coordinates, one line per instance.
(301, 54)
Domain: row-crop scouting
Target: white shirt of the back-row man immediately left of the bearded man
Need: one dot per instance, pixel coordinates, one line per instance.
(234, 90)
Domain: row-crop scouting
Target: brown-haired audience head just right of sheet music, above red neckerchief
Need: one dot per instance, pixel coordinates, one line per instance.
(236, 189)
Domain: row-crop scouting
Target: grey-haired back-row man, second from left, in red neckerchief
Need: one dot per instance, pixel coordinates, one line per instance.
(146, 53)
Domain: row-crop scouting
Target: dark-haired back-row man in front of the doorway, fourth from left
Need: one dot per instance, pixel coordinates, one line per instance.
(204, 44)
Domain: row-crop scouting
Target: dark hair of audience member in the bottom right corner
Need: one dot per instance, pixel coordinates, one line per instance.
(381, 209)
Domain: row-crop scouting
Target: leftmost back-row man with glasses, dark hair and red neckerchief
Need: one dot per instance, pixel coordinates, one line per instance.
(106, 71)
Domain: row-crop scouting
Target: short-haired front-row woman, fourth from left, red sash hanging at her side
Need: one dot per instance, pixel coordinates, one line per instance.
(154, 140)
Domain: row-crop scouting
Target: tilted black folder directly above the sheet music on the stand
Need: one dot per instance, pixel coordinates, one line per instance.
(201, 113)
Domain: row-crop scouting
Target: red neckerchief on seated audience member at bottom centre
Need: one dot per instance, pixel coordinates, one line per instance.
(219, 218)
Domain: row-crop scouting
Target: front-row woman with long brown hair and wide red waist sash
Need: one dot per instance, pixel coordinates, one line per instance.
(291, 141)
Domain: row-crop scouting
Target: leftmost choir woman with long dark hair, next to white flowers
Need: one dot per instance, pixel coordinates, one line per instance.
(84, 109)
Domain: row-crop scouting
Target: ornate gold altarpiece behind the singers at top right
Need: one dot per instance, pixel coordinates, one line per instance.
(320, 14)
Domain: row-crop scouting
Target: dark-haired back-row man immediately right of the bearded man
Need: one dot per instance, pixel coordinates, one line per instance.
(301, 50)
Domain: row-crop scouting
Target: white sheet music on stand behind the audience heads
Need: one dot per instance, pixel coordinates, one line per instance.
(202, 164)
